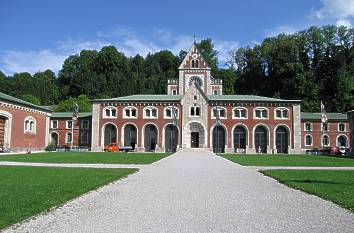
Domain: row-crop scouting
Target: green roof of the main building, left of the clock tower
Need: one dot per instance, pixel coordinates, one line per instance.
(143, 98)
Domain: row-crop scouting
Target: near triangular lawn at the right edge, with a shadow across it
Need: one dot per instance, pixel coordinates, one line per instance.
(336, 186)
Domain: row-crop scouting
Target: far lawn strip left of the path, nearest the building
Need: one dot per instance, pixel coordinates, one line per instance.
(87, 157)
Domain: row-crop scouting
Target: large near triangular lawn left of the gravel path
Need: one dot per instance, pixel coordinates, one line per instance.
(26, 191)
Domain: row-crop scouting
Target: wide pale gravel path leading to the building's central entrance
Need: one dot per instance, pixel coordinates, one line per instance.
(195, 191)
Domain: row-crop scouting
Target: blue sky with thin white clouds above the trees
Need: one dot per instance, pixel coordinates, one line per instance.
(36, 35)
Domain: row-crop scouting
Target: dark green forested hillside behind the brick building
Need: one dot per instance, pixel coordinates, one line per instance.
(312, 65)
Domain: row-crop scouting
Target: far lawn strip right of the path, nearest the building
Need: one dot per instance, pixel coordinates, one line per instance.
(290, 160)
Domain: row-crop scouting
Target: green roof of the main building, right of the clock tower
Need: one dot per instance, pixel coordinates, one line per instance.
(247, 98)
